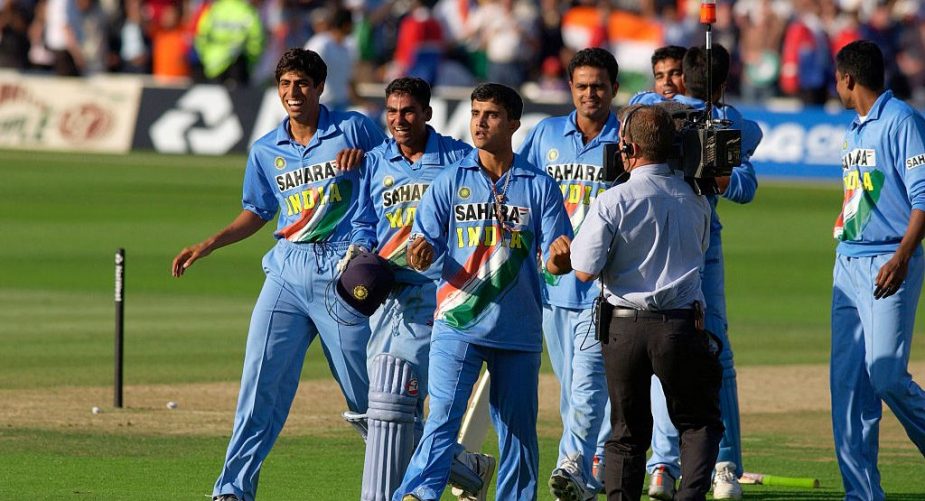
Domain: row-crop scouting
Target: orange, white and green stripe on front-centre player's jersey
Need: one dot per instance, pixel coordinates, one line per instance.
(487, 273)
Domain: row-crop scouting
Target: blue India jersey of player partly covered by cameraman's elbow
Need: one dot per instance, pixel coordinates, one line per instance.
(556, 146)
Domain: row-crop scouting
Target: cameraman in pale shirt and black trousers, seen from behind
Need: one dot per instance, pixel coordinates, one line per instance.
(647, 238)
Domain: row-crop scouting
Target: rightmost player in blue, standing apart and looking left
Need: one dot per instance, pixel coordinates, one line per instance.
(878, 269)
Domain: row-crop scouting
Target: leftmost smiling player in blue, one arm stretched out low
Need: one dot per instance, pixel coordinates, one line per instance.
(295, 171)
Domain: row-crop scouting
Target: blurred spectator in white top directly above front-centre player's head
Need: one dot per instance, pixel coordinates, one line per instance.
(506, 31)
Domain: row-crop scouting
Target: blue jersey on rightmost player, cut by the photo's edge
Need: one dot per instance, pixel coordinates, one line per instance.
(884, 178)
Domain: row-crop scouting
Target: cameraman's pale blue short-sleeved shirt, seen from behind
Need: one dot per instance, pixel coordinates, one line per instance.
(658, 230)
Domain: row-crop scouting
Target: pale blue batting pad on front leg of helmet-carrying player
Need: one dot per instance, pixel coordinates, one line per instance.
(393, 395)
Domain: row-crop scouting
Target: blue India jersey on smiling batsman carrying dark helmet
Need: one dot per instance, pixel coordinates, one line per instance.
(390, 190)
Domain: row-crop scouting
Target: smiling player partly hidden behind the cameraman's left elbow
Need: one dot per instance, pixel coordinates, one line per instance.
(571, 150)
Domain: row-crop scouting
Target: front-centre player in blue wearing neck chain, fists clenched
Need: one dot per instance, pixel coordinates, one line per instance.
(489, 216)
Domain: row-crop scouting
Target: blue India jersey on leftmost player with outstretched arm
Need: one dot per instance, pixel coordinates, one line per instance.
(315, 199)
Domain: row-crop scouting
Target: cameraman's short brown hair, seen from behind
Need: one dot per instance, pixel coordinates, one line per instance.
(651, 129)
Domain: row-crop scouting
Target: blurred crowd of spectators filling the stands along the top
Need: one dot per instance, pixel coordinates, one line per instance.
(779, 47)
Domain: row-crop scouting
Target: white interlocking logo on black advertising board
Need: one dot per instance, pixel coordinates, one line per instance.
(203, 122)
